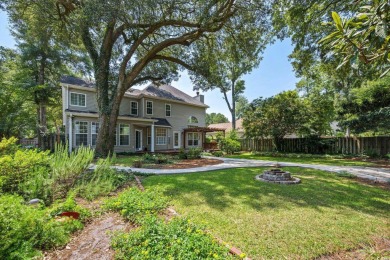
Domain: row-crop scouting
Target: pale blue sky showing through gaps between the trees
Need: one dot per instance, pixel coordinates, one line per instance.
(274, 74)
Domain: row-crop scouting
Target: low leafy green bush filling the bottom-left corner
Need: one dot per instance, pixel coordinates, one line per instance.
(25, 229)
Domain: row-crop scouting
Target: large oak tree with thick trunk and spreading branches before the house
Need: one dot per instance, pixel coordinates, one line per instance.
(132, 42)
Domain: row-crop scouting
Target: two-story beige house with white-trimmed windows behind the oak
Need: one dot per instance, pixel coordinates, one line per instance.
(151, 119)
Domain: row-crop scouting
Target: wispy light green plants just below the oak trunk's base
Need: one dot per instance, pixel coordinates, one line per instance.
(102, 180)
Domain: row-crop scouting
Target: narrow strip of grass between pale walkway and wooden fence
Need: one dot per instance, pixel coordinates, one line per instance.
(297, 158)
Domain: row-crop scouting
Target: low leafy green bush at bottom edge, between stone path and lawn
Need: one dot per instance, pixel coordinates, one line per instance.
(178, 239)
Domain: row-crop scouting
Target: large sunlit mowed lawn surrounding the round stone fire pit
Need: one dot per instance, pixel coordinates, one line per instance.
(324, 214)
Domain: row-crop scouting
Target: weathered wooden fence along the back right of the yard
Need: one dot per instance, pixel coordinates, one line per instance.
(379, 145)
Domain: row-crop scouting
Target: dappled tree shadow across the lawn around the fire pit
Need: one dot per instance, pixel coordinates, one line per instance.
(223, 188)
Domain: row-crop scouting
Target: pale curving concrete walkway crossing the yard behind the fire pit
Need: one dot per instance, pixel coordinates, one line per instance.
(370, 173)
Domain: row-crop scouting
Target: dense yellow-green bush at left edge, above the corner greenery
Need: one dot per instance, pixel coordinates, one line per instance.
(24, 173)
